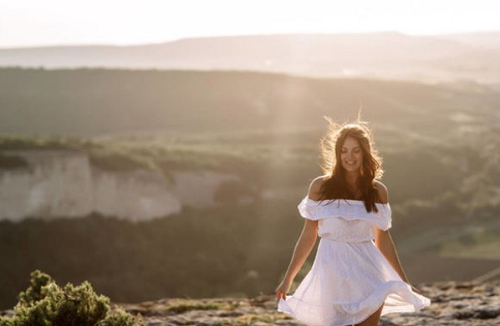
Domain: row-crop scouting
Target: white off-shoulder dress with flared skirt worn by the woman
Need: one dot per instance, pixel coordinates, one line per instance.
(350, 277)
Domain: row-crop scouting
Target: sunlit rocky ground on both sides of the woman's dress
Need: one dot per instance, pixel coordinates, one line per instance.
(452, 303)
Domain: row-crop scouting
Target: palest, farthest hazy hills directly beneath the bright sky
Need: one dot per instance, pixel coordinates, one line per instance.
(389, 55)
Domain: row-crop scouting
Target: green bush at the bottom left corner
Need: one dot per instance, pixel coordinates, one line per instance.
(44, 303)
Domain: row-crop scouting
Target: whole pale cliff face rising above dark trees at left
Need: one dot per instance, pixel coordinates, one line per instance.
(64, 184)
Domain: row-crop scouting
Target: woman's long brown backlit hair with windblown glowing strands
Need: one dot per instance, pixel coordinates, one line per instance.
(335, 184)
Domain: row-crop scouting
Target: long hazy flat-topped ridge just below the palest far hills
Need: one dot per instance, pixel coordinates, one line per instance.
(98, 102)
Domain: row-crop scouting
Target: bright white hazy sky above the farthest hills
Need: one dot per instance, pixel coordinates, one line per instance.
(54, 22)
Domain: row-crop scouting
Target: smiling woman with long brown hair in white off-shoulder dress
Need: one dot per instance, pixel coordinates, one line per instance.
(356, 276)
